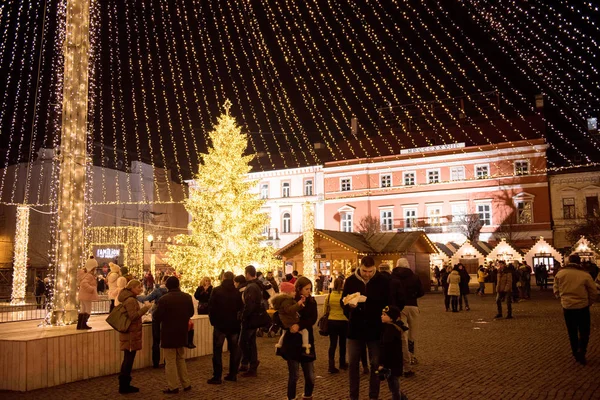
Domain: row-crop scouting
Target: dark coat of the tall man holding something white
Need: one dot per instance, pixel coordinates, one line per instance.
(365, 319)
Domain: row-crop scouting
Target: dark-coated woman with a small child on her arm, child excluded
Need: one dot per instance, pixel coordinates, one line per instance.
(292, 350)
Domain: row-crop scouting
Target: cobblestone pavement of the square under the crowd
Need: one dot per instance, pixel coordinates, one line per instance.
(464, 355)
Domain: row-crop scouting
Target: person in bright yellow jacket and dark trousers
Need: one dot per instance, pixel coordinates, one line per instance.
(338, 326)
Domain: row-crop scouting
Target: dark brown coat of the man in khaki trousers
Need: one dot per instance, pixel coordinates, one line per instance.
(173, 313)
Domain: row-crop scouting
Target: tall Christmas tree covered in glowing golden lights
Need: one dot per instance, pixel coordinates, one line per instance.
(227, 220)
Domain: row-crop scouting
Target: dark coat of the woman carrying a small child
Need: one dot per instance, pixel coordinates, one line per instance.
(292, 343)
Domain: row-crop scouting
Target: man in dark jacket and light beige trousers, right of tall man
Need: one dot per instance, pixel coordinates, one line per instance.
(405, 283)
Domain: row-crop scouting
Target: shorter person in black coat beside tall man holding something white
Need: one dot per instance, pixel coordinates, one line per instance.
(391, 360)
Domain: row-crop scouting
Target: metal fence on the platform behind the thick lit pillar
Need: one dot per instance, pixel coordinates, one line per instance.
(30, 310)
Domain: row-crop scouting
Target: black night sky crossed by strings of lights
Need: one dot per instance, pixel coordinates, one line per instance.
(297, 72)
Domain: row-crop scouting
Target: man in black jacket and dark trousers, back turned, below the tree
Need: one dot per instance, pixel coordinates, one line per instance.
(223, 307)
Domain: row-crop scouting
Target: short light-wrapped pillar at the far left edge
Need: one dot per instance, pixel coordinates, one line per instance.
(20, 260)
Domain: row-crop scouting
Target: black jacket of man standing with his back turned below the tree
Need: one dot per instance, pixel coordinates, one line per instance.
(224, 306)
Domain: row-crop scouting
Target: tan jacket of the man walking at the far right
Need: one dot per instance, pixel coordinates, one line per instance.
(575, 287)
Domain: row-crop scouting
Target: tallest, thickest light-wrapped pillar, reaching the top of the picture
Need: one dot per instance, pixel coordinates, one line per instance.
(71, 201)
